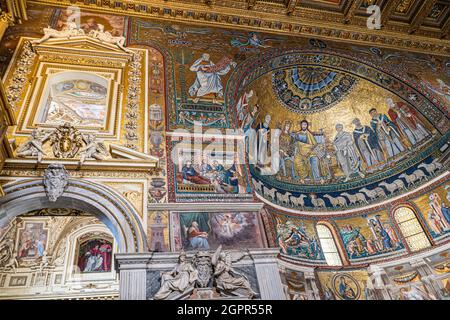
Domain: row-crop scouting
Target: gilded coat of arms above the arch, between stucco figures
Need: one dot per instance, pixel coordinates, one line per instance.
(66, 141)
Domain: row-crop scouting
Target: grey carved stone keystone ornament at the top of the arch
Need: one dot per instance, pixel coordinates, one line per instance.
(56, 179)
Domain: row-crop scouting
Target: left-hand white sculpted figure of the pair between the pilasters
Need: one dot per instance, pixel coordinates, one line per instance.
(178, 282)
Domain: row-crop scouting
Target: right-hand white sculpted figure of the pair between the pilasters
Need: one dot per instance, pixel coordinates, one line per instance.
(230, 282)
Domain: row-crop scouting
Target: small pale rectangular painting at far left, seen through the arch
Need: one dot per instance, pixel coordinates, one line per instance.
(32, 241)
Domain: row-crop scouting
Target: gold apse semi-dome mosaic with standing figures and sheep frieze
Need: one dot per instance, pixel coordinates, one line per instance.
(351, 132)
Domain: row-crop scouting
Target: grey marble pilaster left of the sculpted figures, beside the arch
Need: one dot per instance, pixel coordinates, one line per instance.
(132, 276)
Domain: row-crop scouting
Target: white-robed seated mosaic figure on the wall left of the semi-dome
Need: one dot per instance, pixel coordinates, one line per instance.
(208, 79)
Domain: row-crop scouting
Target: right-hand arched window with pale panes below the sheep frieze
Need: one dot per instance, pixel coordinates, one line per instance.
(411, 229)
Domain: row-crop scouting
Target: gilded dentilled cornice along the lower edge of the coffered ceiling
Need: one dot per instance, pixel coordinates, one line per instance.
(271, 18)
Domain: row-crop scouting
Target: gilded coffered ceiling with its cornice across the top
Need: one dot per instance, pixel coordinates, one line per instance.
(408, 24)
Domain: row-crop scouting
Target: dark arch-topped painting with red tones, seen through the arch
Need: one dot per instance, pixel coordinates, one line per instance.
(95, 255)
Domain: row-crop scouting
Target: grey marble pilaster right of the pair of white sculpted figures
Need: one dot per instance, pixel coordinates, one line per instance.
(268, 273)
